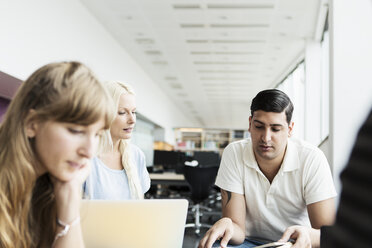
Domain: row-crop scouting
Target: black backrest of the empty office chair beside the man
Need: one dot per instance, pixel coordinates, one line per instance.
(201, 180)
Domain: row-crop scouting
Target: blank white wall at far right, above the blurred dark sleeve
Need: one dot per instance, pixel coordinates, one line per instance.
(351, 80)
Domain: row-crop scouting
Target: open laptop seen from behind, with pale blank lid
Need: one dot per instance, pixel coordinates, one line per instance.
(134, 223)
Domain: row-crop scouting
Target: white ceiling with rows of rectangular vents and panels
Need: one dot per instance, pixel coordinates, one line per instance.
(211, 56)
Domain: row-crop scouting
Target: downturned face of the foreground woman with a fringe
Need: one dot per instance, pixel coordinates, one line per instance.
(64, 148)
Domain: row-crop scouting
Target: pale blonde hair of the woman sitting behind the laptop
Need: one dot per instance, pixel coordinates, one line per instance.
(116, 89)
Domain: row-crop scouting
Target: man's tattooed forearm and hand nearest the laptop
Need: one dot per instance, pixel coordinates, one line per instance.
(232, 225)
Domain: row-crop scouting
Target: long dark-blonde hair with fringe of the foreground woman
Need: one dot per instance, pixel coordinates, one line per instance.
(62, 92)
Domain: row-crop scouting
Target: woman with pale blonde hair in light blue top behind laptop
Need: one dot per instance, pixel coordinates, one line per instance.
(119, 172)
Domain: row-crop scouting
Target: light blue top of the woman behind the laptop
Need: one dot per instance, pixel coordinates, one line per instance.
(108, 184)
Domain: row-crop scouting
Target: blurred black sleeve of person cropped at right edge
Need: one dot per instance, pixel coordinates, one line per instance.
(353, 226)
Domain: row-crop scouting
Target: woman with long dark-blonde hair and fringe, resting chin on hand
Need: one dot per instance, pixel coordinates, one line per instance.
(47, 138)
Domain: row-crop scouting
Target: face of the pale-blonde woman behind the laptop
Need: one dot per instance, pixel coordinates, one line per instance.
(123, 124)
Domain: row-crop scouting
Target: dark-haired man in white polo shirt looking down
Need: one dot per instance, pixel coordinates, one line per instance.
(270, 182)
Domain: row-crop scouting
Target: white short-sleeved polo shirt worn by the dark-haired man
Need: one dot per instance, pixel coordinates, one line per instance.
(303, 178)
